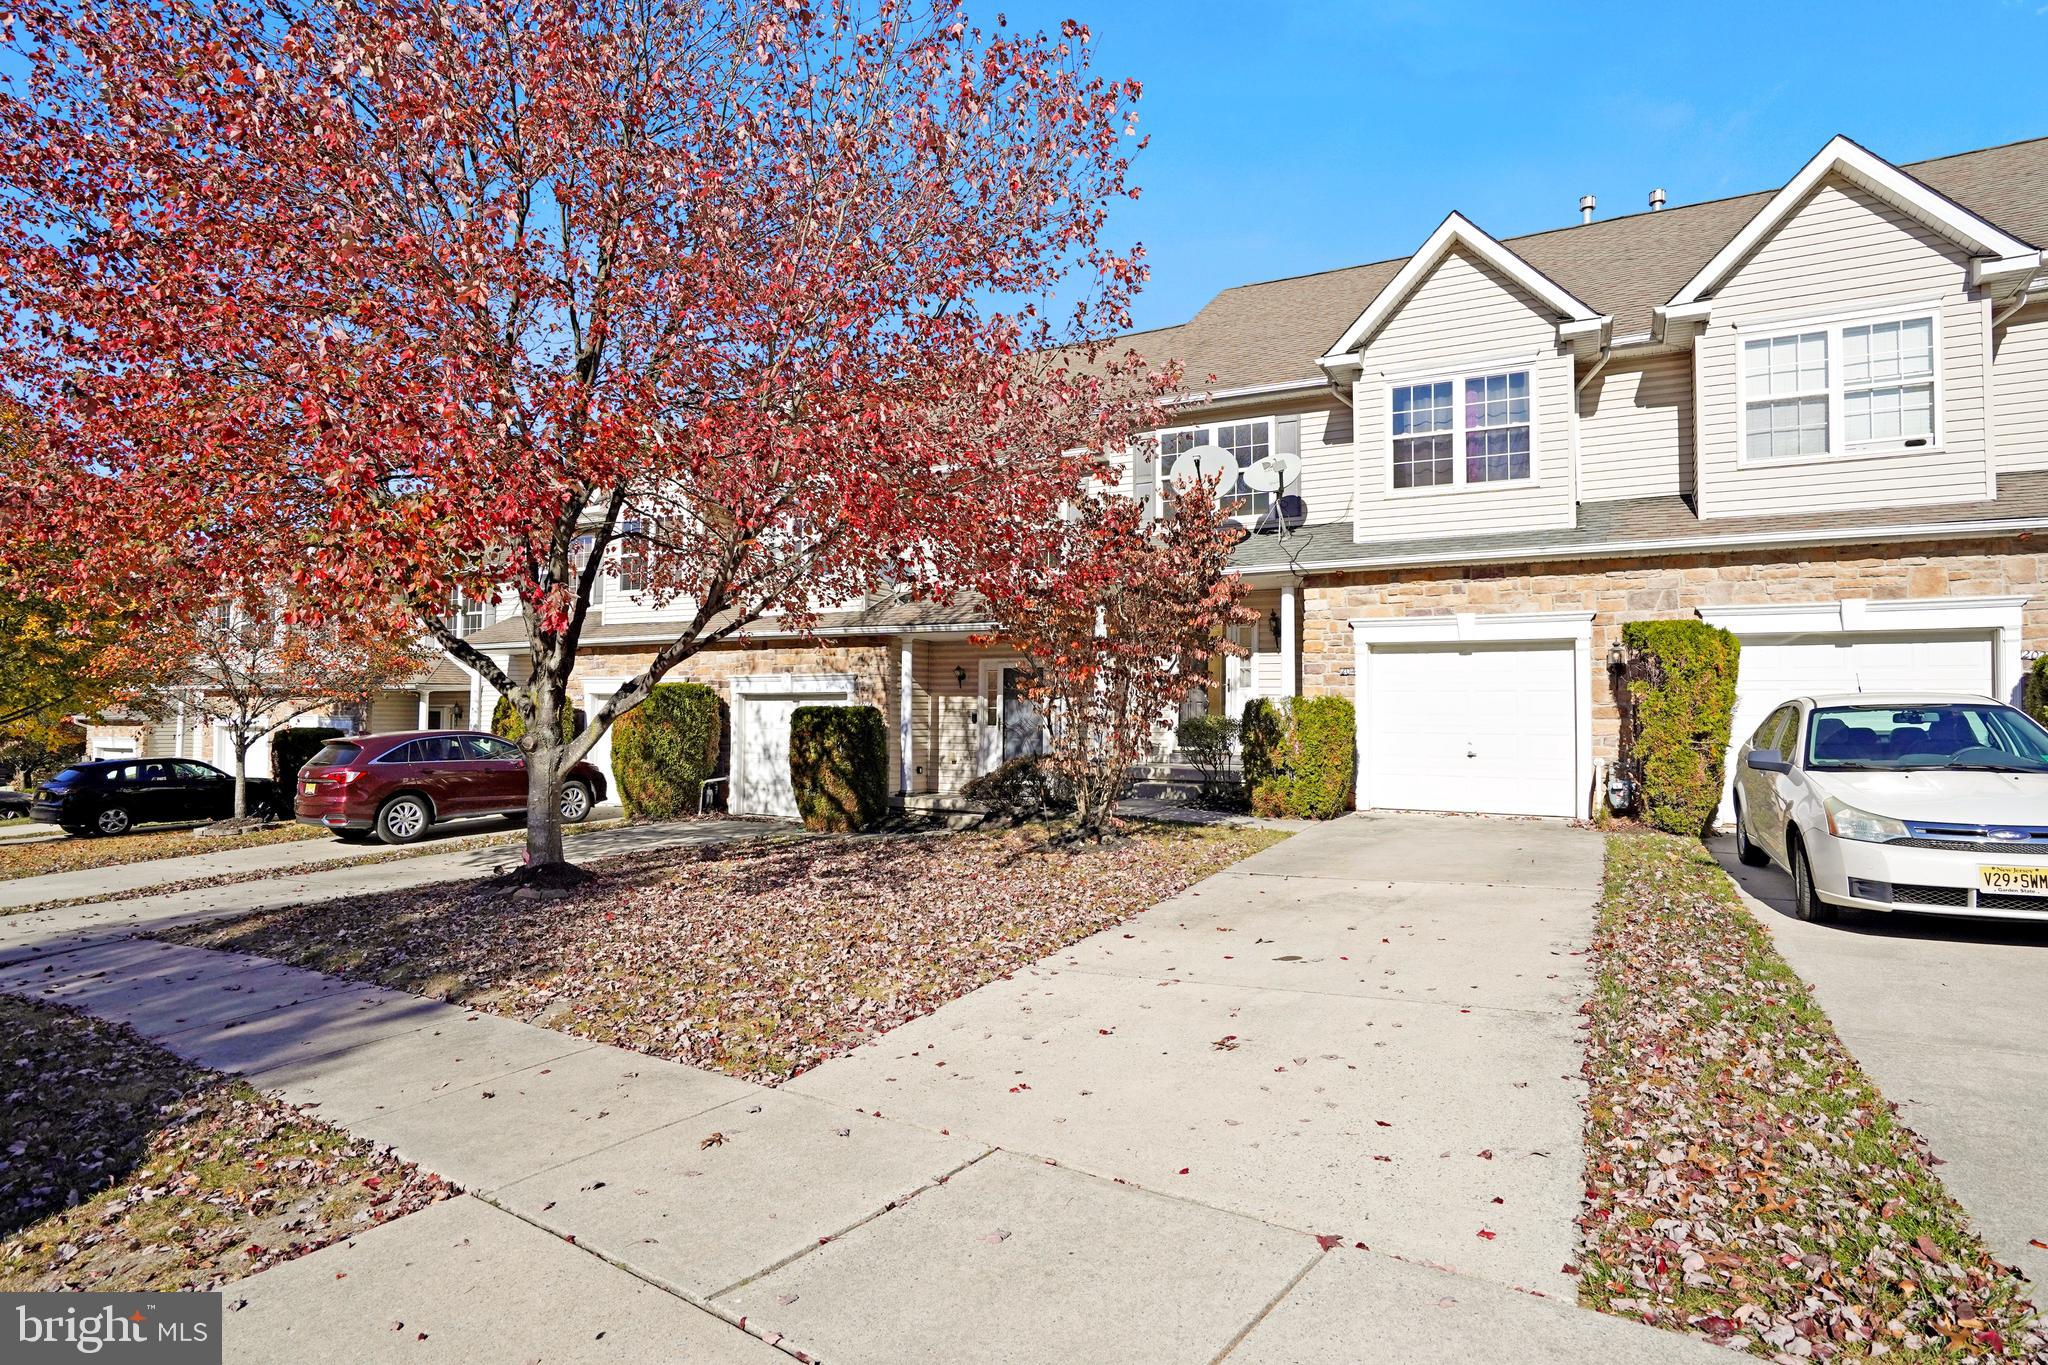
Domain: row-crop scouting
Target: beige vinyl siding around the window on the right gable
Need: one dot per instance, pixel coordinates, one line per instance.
(1844, 255)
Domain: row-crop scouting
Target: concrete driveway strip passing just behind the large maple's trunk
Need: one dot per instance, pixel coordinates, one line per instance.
(48, 932)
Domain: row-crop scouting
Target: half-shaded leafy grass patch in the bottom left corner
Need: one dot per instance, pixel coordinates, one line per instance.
(132, 1170)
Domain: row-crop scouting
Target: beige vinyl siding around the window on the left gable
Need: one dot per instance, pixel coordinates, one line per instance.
(1465, 320)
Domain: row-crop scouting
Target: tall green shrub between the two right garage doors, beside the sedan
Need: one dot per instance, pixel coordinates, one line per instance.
(1678, 709)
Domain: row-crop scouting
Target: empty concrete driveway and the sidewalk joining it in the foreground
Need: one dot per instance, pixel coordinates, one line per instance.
(628, 1208)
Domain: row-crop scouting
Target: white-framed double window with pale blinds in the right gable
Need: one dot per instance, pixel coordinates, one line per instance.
(1840, 390)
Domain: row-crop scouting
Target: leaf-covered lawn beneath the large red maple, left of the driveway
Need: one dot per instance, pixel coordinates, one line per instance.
(757, 959)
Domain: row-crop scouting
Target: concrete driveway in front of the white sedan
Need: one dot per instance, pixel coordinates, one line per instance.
(1947, 1018)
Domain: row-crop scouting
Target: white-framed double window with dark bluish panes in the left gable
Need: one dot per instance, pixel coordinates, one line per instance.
(1451, 433)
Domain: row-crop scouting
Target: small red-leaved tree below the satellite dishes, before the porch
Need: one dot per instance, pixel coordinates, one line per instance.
(1119, 623)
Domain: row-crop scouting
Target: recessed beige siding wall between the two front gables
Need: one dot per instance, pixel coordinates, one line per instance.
(1635, 431)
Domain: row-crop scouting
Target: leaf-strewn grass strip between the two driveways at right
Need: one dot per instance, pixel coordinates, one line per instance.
(1746, 1180)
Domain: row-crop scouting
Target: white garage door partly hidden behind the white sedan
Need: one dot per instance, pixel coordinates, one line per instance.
(1781, 668)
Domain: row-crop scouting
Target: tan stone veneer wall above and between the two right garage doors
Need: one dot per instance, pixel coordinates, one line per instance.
(1623, 590)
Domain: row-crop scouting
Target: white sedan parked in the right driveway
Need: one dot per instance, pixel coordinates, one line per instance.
(1928, 803)
